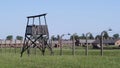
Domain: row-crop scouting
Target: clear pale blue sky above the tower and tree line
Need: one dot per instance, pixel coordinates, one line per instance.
(63, 16)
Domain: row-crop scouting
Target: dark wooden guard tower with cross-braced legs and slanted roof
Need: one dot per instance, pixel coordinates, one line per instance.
(36, 35)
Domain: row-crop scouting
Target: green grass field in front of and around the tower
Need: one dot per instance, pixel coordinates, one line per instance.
(10, 59)
